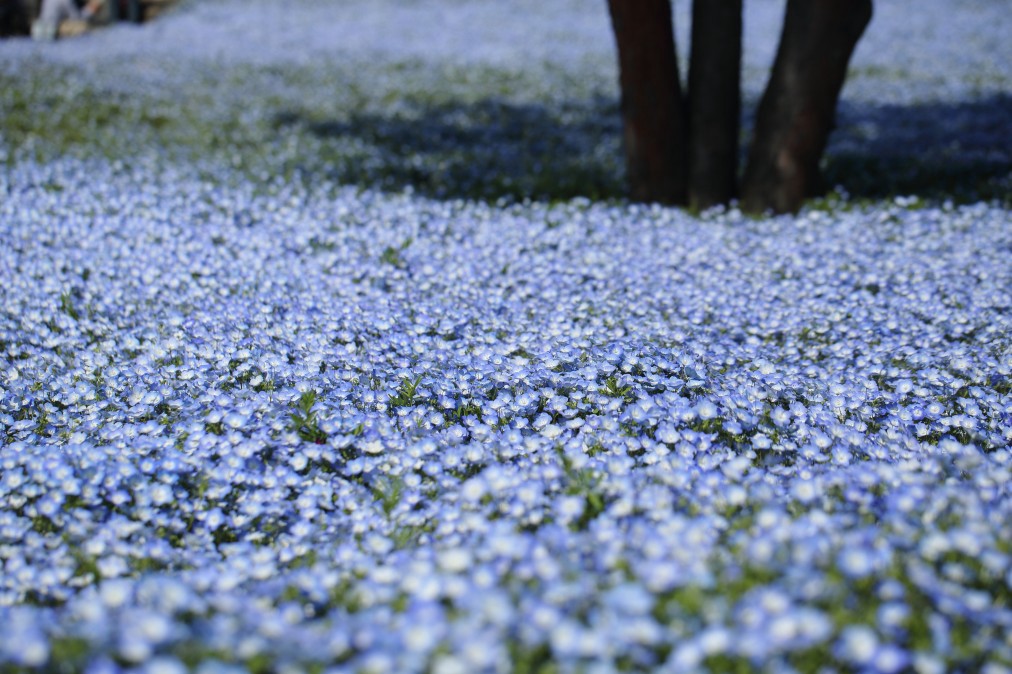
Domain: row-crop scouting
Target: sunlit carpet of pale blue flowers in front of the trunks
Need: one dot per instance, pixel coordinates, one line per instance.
(575, 434)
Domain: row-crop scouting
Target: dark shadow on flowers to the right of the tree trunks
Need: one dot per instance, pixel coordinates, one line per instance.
(939, 151)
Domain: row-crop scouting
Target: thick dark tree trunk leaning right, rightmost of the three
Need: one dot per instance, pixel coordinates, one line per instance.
(798, 110)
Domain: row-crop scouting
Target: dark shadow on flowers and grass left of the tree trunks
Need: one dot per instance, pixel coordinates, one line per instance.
(486, 150)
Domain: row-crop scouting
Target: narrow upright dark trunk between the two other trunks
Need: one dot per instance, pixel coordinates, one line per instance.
(715, 102)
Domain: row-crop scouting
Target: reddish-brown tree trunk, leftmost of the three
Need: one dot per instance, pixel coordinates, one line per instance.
(653, 115)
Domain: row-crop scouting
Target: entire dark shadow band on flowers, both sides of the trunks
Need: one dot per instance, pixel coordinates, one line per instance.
(491, 150)
